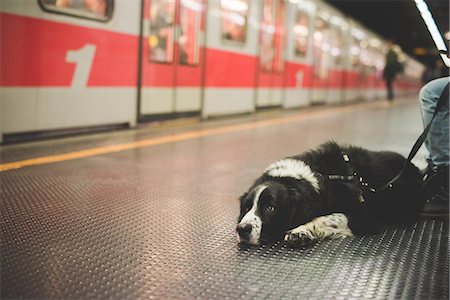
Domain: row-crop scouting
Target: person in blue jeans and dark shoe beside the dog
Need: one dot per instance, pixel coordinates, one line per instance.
(436, 180)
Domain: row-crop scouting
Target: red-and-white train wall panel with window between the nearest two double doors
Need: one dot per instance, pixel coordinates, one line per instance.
(231, 61)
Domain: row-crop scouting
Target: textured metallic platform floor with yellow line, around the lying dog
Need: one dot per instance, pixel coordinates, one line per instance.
(87, 217)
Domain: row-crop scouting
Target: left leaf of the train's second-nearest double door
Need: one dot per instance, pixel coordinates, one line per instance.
(266, 54)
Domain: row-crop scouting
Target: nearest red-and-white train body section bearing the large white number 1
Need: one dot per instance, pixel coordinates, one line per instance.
(68, 65)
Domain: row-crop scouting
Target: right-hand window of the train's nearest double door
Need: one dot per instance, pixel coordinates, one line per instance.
(190, 14)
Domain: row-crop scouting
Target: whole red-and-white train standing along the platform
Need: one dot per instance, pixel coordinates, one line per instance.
(77, 65)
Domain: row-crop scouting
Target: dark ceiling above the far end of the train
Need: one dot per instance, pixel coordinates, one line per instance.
(400, 21)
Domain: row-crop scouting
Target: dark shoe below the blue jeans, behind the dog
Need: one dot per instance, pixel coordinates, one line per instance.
(436, 184)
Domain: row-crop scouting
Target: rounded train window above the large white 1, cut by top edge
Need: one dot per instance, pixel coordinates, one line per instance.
(99, 10)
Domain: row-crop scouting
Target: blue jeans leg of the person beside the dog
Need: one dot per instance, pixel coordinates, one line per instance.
(437, 141)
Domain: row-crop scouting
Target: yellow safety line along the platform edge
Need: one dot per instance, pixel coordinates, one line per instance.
(176, 138)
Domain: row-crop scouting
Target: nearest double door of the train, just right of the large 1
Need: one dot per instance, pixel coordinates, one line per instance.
(172, 58)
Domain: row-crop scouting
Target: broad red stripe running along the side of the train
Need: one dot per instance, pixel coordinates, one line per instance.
(34, 54)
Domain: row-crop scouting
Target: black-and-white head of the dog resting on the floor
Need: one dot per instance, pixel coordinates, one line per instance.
(271, 208)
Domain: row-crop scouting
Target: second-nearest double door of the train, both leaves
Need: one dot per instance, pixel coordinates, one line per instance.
(270, 78)
